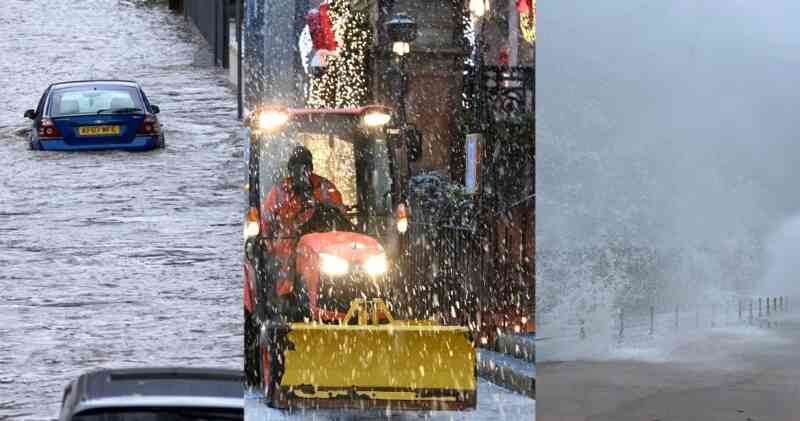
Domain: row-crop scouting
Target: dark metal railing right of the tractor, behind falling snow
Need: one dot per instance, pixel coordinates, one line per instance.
(482, 277)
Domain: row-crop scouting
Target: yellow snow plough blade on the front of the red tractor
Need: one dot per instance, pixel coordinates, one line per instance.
(398, 364)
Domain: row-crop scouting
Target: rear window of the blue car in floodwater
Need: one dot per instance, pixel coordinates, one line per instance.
(94, 99)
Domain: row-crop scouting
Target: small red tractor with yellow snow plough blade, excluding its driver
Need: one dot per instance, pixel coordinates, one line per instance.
(335, 339)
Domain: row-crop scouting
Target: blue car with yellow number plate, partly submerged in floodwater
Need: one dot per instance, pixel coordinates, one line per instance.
(95, 115)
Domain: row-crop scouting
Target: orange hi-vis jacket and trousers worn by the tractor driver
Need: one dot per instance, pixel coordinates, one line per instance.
(283, 213)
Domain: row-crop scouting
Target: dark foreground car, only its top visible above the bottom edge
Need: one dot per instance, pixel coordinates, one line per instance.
(154, 394)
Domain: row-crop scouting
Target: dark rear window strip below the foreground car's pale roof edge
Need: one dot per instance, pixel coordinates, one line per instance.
(160, 414)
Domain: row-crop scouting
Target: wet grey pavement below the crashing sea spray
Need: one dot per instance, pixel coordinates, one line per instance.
(736, 373)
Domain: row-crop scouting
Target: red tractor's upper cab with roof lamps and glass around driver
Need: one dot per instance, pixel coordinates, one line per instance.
(349, 149)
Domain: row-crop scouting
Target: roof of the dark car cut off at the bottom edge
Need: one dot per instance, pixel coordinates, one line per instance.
(156, 386)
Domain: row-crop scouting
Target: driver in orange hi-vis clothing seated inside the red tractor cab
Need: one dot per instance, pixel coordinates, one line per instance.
(290, 205)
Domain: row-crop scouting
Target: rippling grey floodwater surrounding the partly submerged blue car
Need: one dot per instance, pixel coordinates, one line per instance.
(114, 259)
